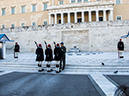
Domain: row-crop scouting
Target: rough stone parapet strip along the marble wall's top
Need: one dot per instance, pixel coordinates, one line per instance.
(66, 26)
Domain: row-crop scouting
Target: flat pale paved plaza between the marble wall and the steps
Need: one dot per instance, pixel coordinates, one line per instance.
(82, 58)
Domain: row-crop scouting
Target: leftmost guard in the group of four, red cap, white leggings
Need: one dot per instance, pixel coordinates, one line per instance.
(40, 57)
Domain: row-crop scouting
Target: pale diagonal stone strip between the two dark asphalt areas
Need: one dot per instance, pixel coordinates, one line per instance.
(107, 87)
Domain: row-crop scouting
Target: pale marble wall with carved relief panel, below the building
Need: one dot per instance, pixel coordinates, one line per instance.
(87, 36)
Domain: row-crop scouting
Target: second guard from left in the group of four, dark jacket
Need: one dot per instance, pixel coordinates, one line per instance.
(49, 57)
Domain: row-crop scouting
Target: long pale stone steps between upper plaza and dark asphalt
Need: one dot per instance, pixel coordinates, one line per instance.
(69, 67)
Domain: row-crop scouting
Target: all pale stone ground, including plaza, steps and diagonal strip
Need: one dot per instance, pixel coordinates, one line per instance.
(76, 63)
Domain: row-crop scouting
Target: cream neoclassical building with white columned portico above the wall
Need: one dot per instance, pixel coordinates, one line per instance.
(19, 13)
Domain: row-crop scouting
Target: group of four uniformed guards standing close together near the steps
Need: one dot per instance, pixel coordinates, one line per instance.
(59, 57)
